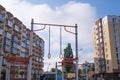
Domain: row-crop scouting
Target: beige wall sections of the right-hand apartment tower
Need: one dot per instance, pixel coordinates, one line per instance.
(109, 44)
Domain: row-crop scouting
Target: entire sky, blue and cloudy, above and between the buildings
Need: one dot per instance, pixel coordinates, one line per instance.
(84, 13)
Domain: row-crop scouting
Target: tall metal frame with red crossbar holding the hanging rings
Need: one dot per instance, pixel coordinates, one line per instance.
(57, 25)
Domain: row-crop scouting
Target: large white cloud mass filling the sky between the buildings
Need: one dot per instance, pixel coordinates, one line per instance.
(71, 13)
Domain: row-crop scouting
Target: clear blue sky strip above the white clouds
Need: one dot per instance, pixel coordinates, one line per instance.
(103, 7)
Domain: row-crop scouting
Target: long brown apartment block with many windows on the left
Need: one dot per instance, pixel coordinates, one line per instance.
(15, 42)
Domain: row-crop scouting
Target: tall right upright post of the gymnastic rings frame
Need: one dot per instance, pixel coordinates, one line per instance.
(76, 50)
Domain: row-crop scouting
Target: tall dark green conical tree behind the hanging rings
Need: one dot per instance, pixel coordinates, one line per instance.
(68, 53)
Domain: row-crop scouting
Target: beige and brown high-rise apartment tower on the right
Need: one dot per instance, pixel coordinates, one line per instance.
(106, 40)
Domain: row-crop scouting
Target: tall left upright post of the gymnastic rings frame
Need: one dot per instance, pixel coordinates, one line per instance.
(30, 52)
